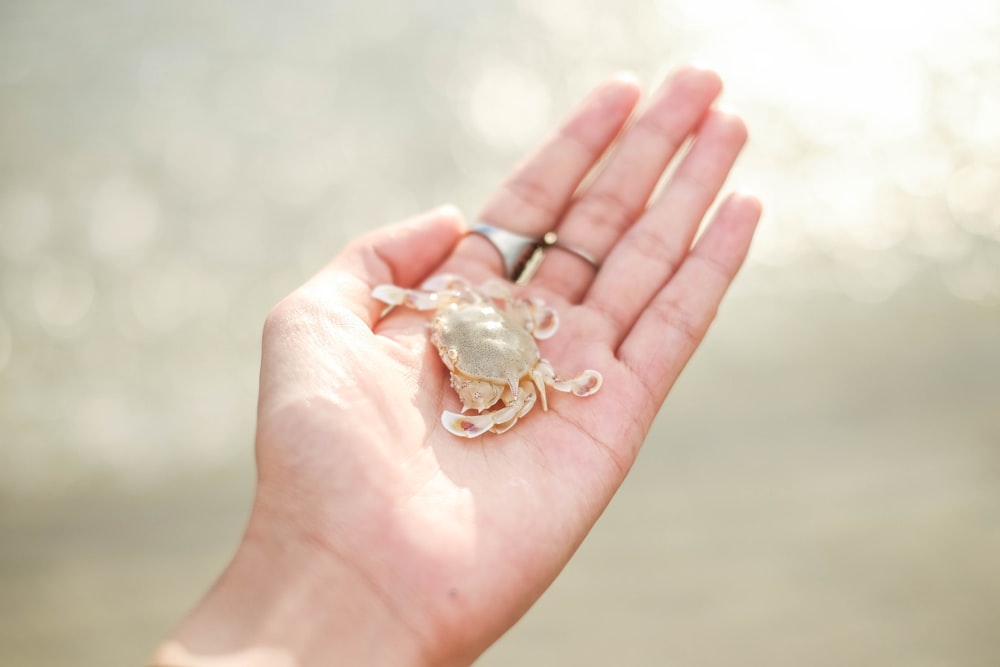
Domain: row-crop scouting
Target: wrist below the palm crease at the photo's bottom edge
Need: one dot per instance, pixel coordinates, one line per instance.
(289, 604)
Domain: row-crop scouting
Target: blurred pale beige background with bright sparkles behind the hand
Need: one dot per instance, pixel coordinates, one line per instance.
(823, 486)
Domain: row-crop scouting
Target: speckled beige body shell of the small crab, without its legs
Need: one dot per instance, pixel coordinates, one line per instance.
(486, 349)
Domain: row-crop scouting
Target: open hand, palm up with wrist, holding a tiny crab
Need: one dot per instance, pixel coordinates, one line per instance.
(376, 536)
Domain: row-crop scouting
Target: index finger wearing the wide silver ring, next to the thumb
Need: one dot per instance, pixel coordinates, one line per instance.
(532, 200)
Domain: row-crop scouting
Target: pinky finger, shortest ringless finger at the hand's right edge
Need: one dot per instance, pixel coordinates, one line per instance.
(667, 334)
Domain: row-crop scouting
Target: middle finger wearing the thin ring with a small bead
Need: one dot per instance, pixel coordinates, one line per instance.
(618, 195)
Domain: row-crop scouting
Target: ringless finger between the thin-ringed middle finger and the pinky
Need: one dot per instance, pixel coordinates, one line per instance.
(651, 250)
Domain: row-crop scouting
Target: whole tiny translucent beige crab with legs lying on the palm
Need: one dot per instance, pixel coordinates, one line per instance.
(486, 339)
